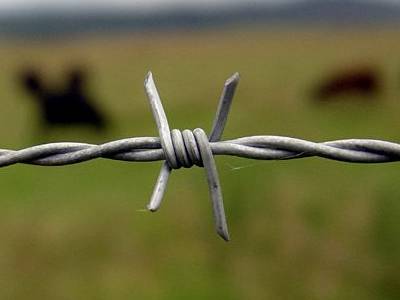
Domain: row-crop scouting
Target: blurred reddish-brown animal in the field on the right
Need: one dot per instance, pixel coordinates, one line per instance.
(362, 81)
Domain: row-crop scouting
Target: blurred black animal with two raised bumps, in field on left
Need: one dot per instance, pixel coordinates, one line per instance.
(66, 106)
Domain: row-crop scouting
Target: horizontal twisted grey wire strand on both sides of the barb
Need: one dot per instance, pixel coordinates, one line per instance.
(146, 149)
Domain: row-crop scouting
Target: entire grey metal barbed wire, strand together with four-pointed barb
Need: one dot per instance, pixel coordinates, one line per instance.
(192, 147)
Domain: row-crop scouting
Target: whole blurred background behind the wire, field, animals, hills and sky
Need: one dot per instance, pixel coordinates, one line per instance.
(303, 229)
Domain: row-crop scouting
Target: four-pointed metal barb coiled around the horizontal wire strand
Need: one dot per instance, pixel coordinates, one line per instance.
(188, 148)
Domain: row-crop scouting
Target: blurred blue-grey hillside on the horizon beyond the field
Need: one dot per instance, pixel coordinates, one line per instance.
(56, 23)
